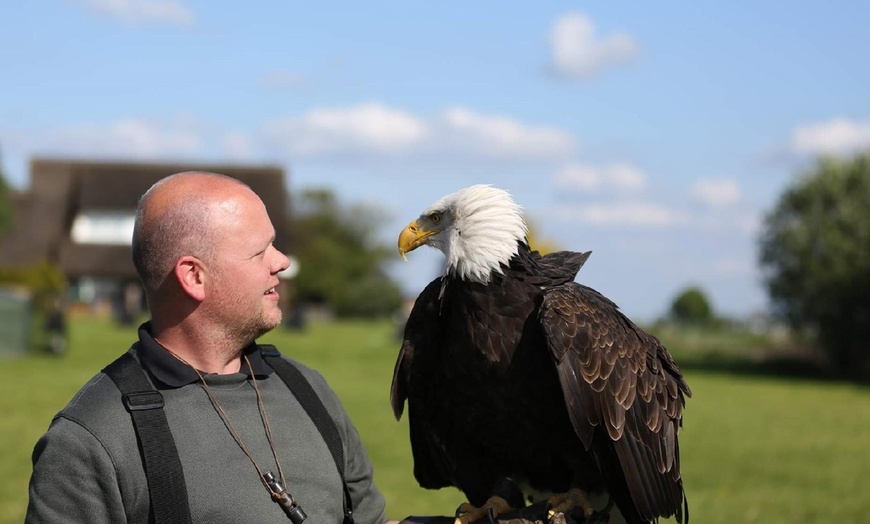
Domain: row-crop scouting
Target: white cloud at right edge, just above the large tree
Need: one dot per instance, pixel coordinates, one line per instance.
(835, 137)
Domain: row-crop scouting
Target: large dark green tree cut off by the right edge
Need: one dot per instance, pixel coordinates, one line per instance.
(815, 253)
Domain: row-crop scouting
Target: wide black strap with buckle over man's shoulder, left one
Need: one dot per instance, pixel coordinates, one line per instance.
(159, 456)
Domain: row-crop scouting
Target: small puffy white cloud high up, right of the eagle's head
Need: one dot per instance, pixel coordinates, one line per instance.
(578, 52)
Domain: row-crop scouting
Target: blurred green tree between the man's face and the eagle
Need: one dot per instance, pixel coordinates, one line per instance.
(340, 262)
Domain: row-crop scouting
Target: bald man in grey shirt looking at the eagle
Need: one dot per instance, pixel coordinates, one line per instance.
(203, 248)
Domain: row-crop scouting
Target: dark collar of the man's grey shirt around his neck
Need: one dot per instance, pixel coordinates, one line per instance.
(174, 373)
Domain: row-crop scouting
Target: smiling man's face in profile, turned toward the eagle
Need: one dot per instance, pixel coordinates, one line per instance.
(242, 290)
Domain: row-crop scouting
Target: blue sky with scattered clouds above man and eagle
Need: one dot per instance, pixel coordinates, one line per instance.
(657, 136)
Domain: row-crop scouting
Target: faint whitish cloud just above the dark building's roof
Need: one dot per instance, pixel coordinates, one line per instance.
(127, 138)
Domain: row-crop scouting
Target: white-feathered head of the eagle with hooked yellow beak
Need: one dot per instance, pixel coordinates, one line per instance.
(478, 229)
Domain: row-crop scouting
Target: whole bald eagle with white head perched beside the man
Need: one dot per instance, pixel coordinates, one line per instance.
(524, 385)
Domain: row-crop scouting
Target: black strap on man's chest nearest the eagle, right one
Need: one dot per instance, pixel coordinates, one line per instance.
(307, 397)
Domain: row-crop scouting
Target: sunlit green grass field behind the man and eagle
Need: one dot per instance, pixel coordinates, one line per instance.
(762, 449)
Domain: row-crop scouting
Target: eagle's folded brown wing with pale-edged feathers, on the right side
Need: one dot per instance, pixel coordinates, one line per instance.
(617, 377)
